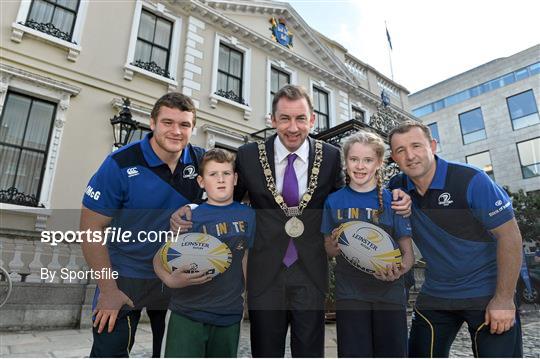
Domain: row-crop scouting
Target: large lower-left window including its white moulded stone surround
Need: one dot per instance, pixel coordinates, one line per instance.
(36, 137)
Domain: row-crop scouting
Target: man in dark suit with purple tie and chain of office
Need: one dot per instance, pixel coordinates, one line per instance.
(288, 179)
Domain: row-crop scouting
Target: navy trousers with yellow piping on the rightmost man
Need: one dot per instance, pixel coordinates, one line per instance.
(435, 326)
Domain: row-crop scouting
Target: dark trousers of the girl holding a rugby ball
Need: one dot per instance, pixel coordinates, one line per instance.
(371, 330)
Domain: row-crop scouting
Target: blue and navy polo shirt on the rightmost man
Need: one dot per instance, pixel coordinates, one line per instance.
(451, 224)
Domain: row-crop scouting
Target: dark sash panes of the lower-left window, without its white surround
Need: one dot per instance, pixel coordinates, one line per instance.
(25, 132)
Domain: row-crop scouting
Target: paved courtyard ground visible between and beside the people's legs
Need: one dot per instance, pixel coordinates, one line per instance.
(77, 343)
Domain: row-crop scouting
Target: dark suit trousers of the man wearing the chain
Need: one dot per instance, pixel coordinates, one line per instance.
(291, 299)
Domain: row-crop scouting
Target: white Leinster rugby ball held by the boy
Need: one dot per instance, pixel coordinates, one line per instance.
(199, 251)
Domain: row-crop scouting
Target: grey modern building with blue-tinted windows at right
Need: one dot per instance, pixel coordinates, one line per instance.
(488, 117)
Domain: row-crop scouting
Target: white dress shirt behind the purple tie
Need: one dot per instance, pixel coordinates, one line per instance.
(300, 164)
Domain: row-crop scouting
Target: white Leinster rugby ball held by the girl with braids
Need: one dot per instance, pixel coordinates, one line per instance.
(367, 247)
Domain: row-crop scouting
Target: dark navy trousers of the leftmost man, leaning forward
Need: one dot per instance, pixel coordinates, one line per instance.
(145, 293)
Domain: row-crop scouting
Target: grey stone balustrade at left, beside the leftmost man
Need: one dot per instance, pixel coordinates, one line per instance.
(38, 302)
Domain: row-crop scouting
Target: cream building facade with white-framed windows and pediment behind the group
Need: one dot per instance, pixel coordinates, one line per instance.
(66, 66)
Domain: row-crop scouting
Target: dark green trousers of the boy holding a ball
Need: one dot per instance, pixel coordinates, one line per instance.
(187, 338)
